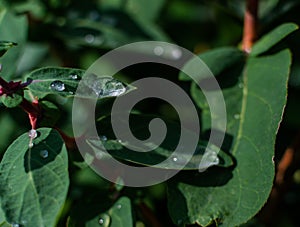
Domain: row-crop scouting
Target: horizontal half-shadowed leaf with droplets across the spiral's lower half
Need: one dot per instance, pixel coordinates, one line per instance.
(139, 127)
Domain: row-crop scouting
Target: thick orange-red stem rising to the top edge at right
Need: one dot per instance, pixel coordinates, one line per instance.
(250, 25)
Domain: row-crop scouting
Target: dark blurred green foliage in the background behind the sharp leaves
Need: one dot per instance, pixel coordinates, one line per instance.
(74, 33)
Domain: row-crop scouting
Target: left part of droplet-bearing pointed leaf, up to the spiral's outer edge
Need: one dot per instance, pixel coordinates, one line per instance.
(54, 80)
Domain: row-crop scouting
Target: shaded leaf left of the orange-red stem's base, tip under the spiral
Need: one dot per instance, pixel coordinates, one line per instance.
(217, 60)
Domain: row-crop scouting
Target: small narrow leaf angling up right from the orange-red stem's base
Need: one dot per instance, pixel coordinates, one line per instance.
(272, 38)
